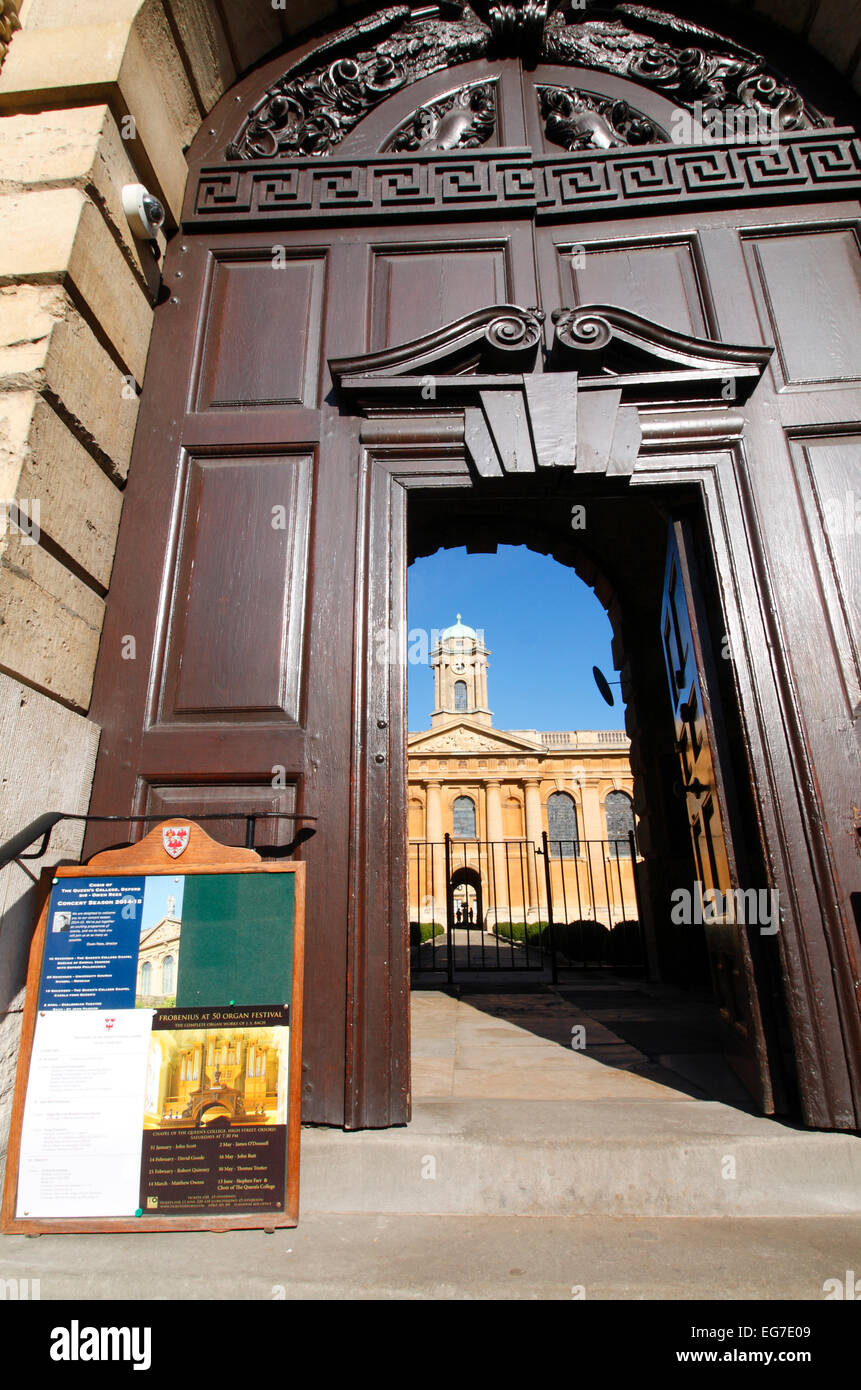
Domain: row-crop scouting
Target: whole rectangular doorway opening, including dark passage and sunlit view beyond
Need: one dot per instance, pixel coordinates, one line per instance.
(578, 856)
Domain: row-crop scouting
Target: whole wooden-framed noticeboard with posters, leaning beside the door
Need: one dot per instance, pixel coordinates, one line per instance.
(159, 1077)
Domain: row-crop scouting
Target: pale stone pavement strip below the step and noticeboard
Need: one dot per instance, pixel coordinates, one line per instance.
(500, 1259)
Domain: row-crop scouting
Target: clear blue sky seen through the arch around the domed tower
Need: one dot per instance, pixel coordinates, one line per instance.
(528, 605)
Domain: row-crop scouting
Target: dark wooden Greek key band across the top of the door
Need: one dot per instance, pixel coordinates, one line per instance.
(615, 181)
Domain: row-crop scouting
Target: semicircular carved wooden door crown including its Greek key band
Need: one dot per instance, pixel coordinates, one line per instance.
(419, 112)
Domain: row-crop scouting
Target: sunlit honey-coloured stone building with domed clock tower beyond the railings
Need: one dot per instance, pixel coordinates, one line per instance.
(485, 787)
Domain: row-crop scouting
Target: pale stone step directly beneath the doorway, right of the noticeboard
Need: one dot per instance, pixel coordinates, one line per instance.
(590, 1159)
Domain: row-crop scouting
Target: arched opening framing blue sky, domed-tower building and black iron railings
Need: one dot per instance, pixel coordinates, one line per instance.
(520, 775)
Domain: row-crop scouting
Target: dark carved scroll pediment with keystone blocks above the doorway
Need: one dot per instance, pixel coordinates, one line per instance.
(581, 412)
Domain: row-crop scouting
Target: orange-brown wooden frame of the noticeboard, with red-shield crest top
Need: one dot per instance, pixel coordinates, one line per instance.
(150, 857)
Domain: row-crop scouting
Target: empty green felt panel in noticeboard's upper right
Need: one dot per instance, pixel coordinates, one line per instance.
(237, 939)
